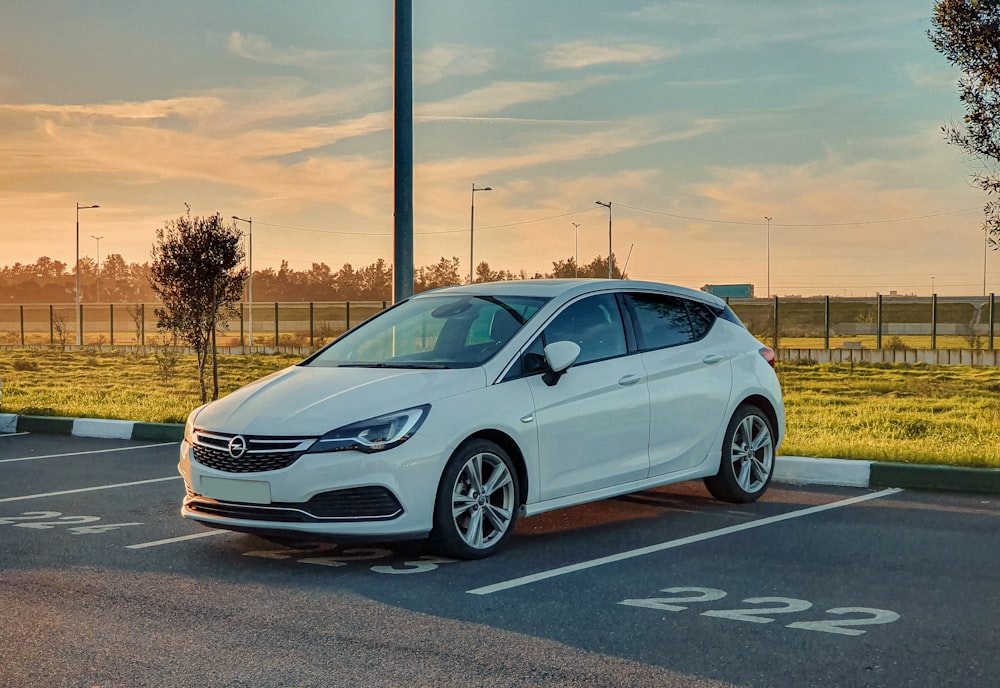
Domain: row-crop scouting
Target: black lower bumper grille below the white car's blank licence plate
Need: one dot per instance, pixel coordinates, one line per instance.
(373, 503)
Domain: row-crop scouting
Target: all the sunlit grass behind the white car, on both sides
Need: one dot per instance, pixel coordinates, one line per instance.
(913, 413)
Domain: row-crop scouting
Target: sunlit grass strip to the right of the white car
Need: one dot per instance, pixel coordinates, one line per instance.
(911, 413)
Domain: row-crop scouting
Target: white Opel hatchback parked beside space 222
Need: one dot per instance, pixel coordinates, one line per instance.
(458, 410)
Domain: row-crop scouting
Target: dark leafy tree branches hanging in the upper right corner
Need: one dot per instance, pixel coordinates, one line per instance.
(967, 32)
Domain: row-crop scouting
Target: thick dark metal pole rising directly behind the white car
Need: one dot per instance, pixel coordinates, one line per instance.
(403, 152)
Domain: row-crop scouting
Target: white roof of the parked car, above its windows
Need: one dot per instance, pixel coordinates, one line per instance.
(551, 288)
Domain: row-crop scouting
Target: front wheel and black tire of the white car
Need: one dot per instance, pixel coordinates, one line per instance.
(477, 502)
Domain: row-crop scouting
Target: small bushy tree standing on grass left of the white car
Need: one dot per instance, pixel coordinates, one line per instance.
(197, 276)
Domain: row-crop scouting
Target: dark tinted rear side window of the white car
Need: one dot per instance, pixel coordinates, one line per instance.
(663, 320)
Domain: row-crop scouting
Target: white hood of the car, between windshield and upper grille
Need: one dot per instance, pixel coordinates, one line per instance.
(312, 400)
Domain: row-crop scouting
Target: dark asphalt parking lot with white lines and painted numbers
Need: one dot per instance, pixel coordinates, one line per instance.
(103, 584)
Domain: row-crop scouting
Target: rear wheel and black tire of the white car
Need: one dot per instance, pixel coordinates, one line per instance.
(747, 458)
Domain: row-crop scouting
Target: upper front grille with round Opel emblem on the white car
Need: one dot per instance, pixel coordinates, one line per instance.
(262, 453)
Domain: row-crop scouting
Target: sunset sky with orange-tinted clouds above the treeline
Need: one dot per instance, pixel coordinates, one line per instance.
(696, 119)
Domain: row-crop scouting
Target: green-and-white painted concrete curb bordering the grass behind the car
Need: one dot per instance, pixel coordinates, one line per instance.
(790, 469)
